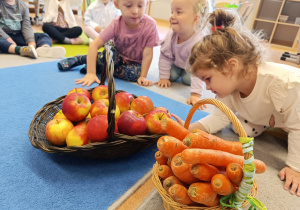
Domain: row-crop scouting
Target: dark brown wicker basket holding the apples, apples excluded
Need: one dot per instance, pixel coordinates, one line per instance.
(118, 145)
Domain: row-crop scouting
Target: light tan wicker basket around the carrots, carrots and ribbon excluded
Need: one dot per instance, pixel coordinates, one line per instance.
(168, 202)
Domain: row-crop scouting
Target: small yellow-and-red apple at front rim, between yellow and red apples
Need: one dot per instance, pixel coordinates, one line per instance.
(78, 135)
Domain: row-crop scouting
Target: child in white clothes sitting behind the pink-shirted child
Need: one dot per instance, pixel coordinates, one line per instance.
(98, 15)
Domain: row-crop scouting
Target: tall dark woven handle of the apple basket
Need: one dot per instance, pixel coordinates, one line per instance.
(108, 74)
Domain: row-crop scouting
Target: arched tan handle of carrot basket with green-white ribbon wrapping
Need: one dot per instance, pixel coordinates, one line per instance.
(247, 143)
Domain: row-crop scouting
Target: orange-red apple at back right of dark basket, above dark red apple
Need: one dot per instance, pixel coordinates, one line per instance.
(142, 104)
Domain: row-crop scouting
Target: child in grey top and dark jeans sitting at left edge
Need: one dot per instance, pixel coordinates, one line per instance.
(16, 34)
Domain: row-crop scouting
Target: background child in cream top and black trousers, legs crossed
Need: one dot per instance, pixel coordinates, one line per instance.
(60, 24)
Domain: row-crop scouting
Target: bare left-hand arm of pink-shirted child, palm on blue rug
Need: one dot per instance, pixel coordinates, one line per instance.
(91, 76)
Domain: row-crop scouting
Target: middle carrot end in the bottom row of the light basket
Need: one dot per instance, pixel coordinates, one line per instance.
(202, 193)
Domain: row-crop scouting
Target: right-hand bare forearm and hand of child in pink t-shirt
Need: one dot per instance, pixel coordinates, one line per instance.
(146, 62)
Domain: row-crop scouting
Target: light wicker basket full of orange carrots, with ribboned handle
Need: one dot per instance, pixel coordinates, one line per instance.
(197, 170)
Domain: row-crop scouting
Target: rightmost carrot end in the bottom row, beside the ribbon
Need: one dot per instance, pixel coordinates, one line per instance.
(222, 185)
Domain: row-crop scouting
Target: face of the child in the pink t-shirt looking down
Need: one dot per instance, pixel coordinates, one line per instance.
(132, 11)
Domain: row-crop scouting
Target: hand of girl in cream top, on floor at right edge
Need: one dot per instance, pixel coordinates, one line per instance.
(292, 179)
